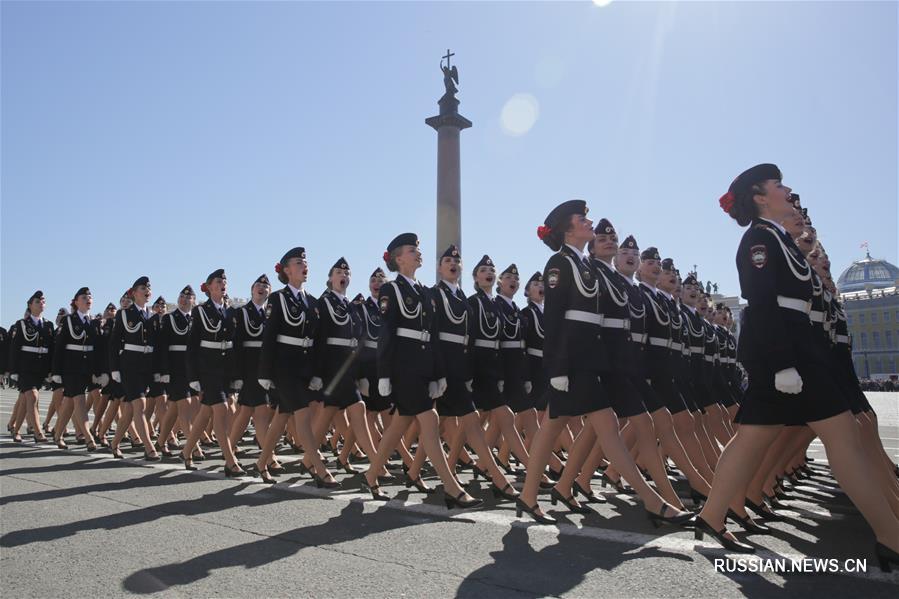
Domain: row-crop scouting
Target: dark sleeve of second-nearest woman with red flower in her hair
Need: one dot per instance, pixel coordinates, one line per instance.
(555, 350)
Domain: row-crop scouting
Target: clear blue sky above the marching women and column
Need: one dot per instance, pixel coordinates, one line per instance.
(173, 139)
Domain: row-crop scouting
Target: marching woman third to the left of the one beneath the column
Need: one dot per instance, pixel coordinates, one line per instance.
(336, 344)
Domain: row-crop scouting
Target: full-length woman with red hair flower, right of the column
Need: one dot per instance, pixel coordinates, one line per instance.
(574, 356)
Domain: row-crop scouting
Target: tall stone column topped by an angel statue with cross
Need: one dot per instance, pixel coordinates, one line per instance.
(448, 124)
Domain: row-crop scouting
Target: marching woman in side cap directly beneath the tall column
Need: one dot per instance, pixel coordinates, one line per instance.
(453, 325)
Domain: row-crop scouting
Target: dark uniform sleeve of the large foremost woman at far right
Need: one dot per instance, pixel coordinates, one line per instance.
(757, 264)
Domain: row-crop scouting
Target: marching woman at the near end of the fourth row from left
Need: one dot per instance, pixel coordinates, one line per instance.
(211, 370)
